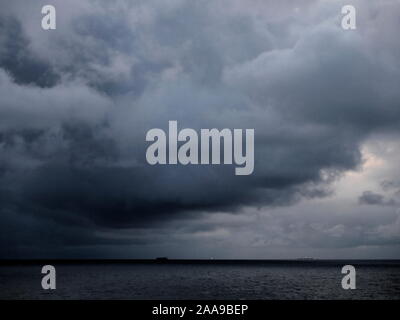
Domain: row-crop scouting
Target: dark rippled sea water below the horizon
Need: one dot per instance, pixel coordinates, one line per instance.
(294, 280)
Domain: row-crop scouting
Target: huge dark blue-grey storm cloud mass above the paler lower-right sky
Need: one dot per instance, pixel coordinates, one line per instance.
(77, 103)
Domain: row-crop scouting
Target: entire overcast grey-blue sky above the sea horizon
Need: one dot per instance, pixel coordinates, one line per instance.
(76, 104)
